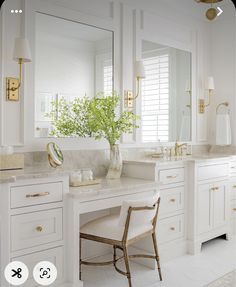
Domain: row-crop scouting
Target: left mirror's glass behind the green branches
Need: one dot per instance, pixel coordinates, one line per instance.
(71, 60)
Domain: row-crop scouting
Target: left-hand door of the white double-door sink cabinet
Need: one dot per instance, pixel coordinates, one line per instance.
(204, 208)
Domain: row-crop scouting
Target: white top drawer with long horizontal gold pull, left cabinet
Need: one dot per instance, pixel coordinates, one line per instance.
(36, 194)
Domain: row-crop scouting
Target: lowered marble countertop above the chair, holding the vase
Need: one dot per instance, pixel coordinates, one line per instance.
(114, 187)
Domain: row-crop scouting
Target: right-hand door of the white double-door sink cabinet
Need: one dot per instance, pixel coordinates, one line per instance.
(220, 204)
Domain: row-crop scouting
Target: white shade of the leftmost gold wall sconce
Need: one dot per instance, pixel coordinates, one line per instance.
(22, 50)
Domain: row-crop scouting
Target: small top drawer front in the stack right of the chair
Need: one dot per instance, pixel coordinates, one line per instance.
(167, 176)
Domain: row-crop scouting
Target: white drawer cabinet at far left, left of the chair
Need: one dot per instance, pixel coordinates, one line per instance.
(32, 214)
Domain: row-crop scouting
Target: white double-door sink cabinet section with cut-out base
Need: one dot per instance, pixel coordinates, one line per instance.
(208, 201)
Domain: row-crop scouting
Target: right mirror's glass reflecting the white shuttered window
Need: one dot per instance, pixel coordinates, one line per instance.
(166, 94)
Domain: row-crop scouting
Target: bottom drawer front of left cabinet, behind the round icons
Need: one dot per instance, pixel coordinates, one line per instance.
(54, 255)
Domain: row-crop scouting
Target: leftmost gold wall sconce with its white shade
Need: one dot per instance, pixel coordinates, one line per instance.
(22, 55)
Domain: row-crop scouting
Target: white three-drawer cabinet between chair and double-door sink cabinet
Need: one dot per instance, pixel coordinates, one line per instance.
(170, 179)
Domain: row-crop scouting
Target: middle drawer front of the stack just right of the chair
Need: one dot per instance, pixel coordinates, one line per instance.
(171, 200)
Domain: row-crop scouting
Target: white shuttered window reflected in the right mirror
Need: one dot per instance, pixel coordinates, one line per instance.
(155, 98)
